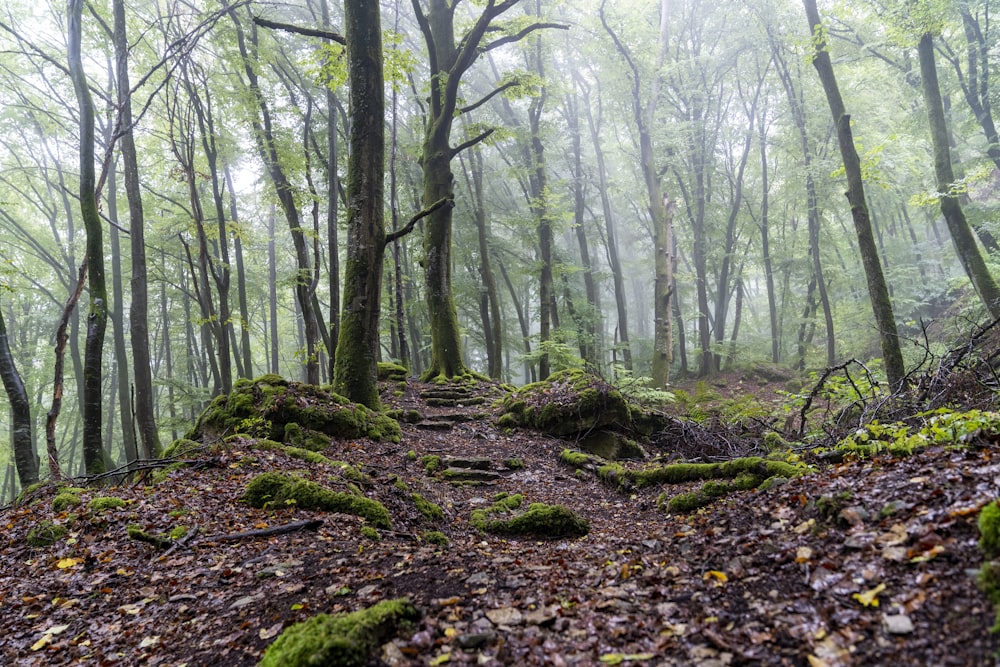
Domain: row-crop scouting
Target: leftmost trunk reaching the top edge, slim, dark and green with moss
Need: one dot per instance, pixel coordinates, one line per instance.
(97, 317)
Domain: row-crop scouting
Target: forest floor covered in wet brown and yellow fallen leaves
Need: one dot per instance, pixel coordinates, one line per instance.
(757, 578)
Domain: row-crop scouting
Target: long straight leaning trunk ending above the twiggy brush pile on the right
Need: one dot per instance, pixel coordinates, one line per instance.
(877, 289)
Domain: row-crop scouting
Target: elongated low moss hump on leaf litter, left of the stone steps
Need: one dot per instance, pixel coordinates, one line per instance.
(275, 490)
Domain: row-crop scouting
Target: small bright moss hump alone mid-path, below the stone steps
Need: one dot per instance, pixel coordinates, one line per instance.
(539, 520)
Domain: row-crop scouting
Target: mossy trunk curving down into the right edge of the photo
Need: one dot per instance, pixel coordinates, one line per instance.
(961, 234)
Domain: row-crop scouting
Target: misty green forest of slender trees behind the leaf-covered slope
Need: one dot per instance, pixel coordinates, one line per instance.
(653, 190)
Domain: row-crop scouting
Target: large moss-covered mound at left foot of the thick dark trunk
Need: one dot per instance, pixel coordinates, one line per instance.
(265, 407)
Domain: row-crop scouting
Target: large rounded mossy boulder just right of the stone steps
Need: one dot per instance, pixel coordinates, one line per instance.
(568, 402)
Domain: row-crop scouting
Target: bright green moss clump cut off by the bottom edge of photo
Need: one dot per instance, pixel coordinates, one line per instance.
(343, 640)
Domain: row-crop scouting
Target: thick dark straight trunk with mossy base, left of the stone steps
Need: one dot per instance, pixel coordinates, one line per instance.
(355, 372)
